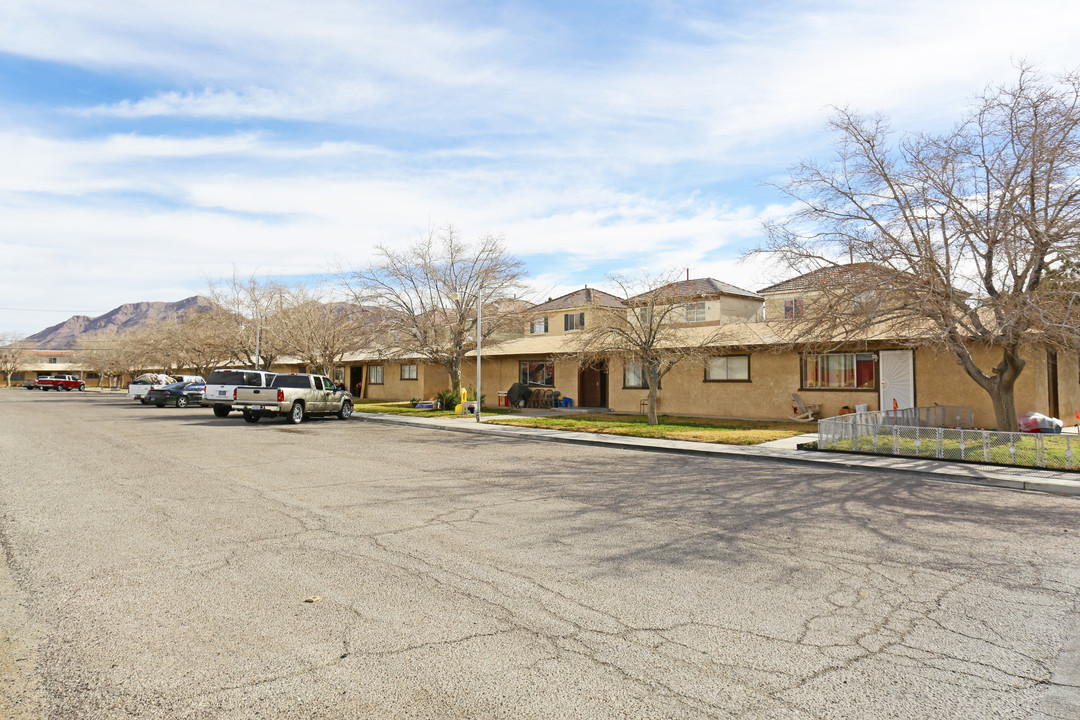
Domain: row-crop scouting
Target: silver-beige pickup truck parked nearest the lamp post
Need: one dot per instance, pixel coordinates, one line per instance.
(295, 397)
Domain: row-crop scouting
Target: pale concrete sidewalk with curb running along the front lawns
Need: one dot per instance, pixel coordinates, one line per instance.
(784, 452)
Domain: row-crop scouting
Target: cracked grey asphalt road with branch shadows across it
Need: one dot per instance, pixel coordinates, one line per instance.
(157, 565)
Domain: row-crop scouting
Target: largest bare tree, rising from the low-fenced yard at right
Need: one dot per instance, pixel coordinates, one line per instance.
(955, 234)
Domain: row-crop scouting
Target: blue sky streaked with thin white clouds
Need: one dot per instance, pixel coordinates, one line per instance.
(148, 148)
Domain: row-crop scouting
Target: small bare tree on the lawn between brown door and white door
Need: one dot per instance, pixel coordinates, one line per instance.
(651, 332)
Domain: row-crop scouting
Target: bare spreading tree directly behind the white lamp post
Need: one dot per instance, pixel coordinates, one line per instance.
(429, 294)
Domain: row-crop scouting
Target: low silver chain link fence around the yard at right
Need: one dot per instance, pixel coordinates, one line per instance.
(946, 433)
